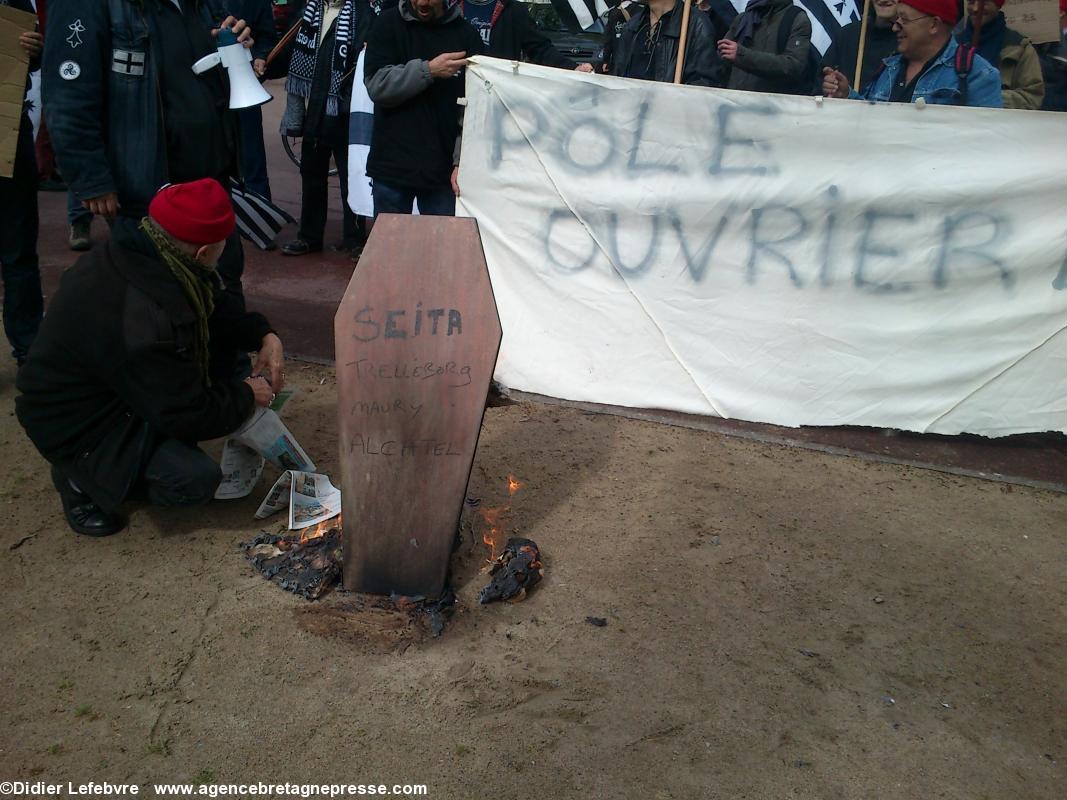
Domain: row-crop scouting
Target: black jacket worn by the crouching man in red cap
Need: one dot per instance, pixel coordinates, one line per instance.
(113, 371)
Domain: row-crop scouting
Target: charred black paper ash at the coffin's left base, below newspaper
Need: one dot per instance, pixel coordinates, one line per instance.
(307, 567)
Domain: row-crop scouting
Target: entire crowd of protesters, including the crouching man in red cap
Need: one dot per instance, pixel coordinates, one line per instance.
(145, 142)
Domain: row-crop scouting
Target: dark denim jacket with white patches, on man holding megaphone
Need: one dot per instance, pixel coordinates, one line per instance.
(107, 125)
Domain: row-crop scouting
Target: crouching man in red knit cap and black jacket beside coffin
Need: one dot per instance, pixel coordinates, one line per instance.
(136, 363)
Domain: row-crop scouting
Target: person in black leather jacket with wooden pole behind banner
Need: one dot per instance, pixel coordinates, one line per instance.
(648, 47)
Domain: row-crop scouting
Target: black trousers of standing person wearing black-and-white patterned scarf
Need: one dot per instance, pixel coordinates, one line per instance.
(314, 179)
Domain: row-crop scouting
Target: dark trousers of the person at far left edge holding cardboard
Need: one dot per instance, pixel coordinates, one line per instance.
(23, 301)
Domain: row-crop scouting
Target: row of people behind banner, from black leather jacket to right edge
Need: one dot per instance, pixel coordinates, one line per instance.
(932, 50)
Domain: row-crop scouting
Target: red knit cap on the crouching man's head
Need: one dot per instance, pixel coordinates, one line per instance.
(199, 213)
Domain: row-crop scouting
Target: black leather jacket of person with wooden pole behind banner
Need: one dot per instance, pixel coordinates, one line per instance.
(702, 59)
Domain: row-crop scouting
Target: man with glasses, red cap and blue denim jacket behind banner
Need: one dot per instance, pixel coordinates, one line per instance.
(926, 67)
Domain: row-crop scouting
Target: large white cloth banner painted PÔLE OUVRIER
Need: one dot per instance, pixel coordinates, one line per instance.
(772, 259)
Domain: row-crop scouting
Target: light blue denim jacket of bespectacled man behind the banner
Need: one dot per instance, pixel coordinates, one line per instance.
(941, 85)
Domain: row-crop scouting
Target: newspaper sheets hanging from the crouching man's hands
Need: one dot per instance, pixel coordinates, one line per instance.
(243, 458)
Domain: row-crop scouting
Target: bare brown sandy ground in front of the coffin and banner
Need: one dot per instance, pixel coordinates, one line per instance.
(781, 625)
